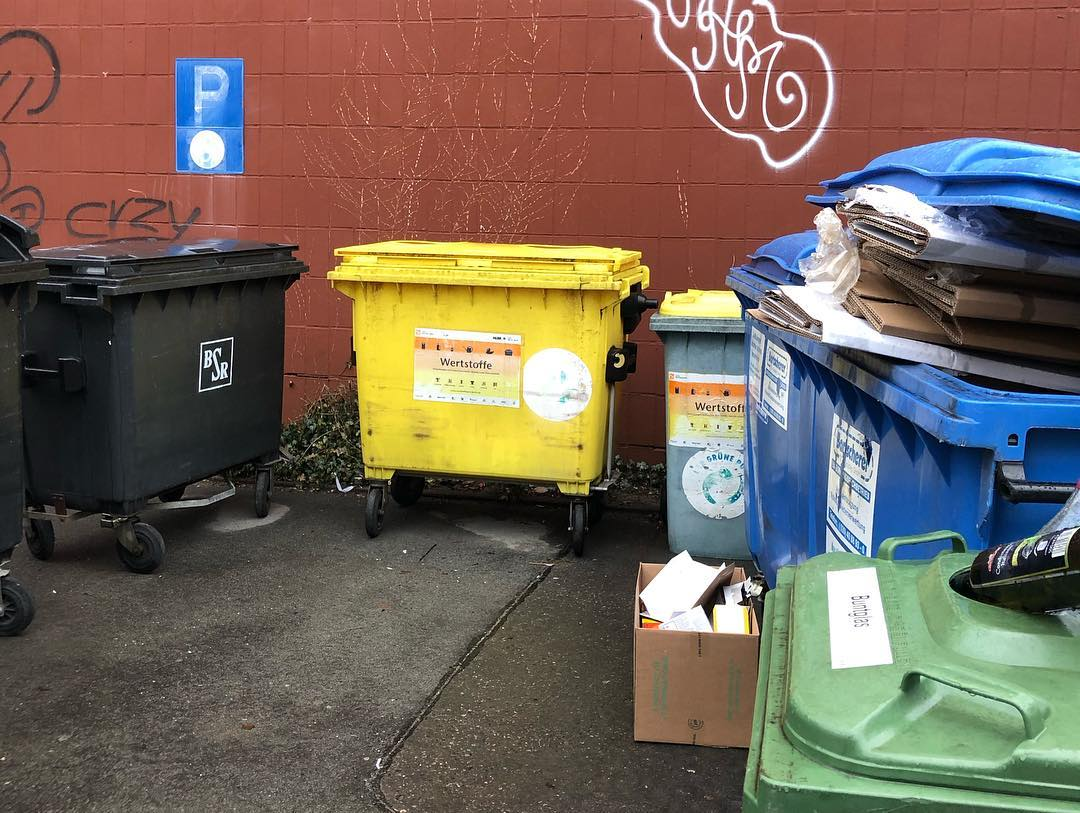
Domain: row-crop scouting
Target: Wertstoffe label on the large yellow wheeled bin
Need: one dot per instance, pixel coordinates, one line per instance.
(467, 368)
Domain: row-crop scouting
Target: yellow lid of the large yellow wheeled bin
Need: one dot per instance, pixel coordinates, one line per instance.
(510, 265)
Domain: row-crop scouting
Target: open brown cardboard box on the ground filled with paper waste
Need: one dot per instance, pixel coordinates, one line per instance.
(695, 688)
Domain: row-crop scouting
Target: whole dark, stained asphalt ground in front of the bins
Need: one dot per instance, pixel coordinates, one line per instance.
(275, 666)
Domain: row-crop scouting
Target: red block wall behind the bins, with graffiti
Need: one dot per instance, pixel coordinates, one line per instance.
(539, 120)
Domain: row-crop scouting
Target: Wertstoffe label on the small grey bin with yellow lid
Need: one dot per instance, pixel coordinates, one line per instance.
(706, 411)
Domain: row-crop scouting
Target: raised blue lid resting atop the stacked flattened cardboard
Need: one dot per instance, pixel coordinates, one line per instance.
(975, 172)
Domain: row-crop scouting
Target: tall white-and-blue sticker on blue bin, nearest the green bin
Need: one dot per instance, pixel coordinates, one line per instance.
(853, 490)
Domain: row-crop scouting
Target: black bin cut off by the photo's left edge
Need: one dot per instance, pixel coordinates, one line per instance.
(18, 275)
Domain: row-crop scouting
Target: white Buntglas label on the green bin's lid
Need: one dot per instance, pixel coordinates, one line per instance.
(858, 629)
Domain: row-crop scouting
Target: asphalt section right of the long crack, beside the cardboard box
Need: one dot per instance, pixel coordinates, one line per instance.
(542, 720)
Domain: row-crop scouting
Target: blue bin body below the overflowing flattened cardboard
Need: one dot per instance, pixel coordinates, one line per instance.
(845, 450)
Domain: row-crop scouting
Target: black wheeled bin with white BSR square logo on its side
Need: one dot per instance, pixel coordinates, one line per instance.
(151, 367)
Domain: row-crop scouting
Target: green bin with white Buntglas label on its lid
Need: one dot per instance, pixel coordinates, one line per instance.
(883, 687)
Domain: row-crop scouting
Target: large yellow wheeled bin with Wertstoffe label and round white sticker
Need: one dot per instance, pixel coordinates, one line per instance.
(491, 361)
